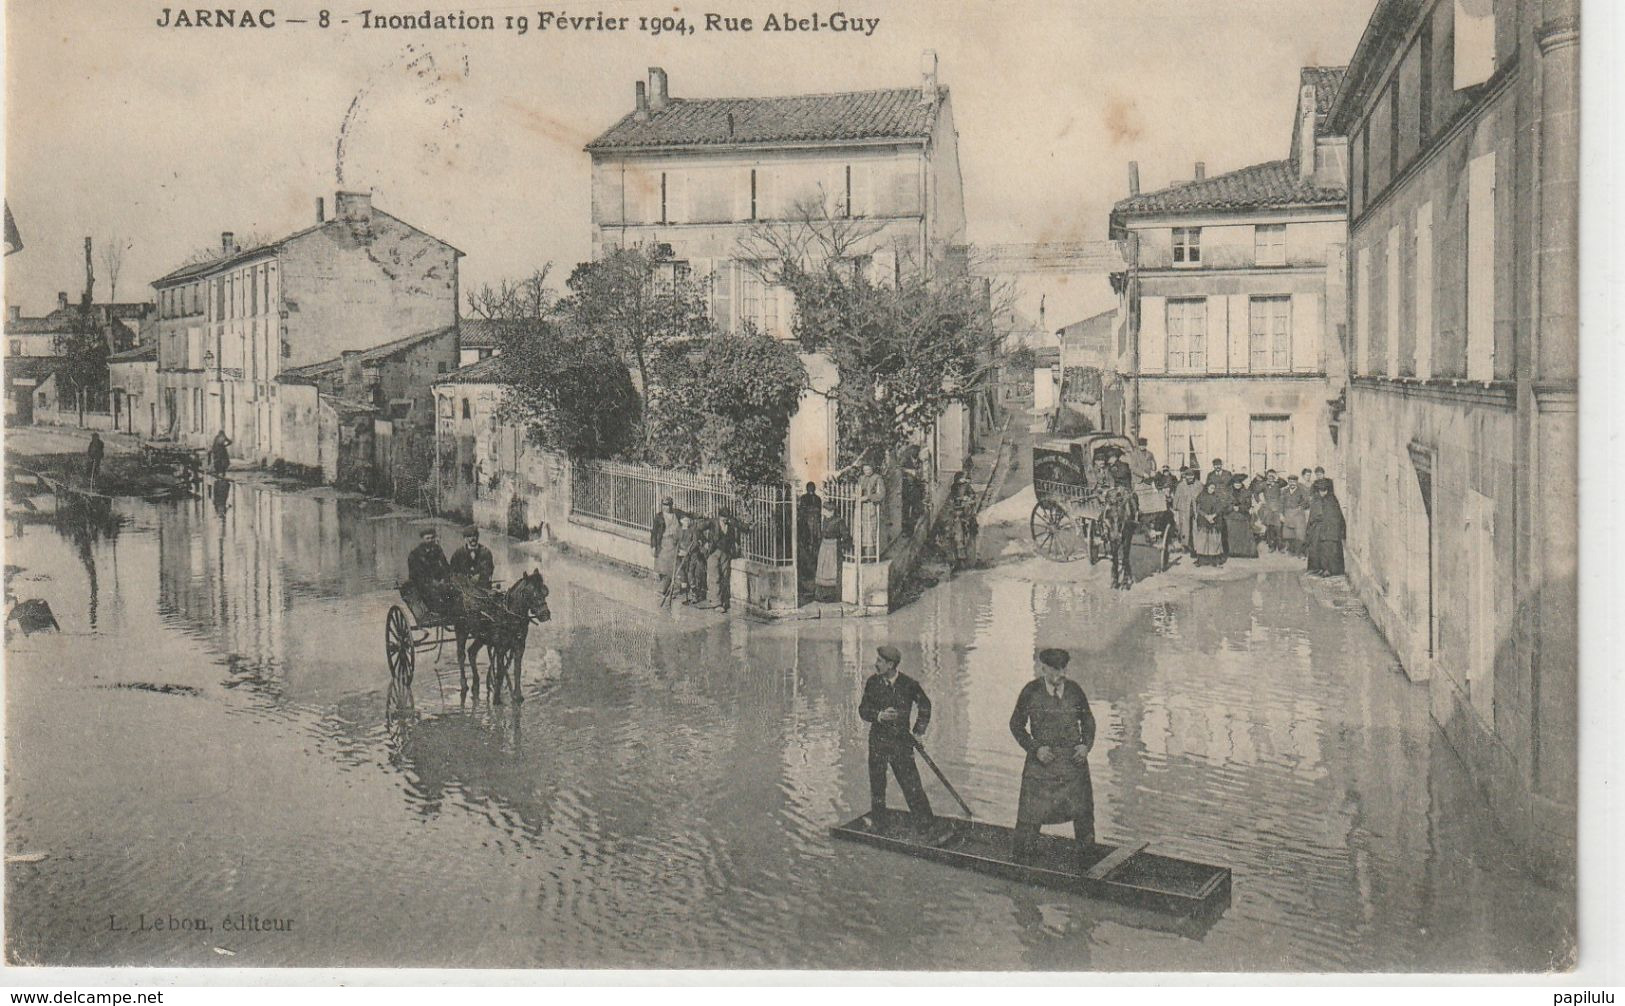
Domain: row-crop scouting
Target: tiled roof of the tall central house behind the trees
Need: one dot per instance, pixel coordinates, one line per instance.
(893, 115)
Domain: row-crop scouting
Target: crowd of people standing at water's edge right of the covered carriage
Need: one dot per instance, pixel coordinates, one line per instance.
(1226, 516)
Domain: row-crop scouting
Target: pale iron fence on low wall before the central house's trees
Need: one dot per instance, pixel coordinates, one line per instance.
(628, 496)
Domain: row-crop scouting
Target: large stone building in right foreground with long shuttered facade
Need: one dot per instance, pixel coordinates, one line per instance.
(1463, 383)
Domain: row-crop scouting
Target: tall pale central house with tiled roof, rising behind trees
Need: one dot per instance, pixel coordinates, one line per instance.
(691, 178)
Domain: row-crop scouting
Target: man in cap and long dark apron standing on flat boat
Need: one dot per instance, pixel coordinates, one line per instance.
(1052, 722)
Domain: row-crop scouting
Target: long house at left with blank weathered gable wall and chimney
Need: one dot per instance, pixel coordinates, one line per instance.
(228, 327)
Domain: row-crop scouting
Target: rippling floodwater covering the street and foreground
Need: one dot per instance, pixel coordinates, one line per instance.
(212, 739)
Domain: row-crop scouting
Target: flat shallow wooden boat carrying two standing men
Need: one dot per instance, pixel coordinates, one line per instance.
(1122, 874)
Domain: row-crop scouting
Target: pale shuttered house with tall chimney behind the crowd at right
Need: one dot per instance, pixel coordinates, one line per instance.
(1231, 287)
